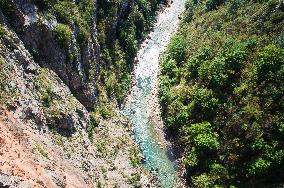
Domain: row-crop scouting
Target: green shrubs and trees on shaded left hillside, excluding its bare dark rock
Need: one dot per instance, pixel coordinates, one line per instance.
(121, 26)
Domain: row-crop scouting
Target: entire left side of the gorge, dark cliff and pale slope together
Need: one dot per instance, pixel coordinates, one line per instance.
(60, 60)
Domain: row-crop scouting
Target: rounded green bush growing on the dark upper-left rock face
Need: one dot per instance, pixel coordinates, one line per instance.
(63, 35)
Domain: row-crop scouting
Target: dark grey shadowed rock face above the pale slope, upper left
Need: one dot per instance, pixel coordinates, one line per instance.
(72, 63)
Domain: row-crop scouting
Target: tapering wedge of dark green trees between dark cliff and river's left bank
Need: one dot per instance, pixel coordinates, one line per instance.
(119, 37)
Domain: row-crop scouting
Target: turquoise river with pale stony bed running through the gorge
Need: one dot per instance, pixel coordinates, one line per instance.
(142, 104)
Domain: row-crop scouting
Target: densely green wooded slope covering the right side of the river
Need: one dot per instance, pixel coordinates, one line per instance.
(222, 91)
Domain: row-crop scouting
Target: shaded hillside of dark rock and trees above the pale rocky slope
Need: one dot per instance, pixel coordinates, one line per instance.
(84, 42)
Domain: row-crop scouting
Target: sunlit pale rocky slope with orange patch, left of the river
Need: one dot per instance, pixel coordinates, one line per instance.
(44, 135)
